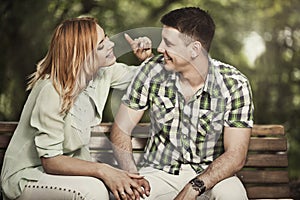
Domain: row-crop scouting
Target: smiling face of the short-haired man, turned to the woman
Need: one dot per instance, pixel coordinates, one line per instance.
(177, 54)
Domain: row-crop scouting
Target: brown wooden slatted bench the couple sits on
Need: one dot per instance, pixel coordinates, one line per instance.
(265, 173)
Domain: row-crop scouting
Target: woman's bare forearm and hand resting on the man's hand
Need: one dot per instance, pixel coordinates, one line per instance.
(118, 181)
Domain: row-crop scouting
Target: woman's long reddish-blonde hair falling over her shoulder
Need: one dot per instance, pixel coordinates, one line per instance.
(71, 60)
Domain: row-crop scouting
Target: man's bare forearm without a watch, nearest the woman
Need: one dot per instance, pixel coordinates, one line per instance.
(122, 146)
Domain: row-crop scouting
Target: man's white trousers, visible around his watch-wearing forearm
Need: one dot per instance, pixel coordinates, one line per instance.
(165, 186)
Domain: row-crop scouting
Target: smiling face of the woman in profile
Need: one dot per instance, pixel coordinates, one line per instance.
(104, 49)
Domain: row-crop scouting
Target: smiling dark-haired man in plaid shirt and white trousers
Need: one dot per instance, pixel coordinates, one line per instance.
(201, 113)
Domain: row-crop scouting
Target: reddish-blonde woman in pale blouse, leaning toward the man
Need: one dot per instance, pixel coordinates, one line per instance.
(48, 156)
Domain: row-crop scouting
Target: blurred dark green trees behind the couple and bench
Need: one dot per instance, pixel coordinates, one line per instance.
(261, 38)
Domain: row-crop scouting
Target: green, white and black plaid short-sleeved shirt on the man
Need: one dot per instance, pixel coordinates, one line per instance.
(189, 132)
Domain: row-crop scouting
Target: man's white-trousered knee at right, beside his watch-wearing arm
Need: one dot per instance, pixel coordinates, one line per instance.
(229, 189)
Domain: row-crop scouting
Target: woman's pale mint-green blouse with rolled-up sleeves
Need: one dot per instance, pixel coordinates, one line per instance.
(44, 131)
